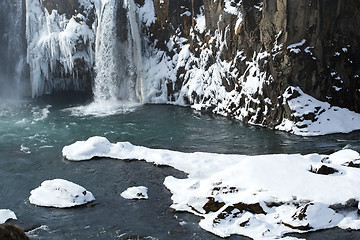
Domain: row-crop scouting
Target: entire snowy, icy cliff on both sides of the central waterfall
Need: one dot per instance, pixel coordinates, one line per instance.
(285, 64)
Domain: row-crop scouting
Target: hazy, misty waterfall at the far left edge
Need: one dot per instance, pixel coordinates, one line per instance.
(12, 49)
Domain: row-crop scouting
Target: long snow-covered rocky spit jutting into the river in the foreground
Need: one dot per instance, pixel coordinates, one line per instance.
(262, 197)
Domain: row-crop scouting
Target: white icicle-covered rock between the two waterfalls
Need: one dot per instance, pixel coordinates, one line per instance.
(57, 47)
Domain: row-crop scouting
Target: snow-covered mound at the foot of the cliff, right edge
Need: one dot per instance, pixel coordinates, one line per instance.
(327, 119)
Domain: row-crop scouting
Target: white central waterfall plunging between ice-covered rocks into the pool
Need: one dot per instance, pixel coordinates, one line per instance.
(118, 57)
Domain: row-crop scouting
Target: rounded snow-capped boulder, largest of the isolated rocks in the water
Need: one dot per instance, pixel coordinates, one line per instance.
(60, 193)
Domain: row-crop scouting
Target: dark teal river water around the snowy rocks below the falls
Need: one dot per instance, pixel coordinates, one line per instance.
(31, 140)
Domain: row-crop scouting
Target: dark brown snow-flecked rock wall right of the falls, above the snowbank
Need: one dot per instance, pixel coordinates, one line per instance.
(263, 47)
